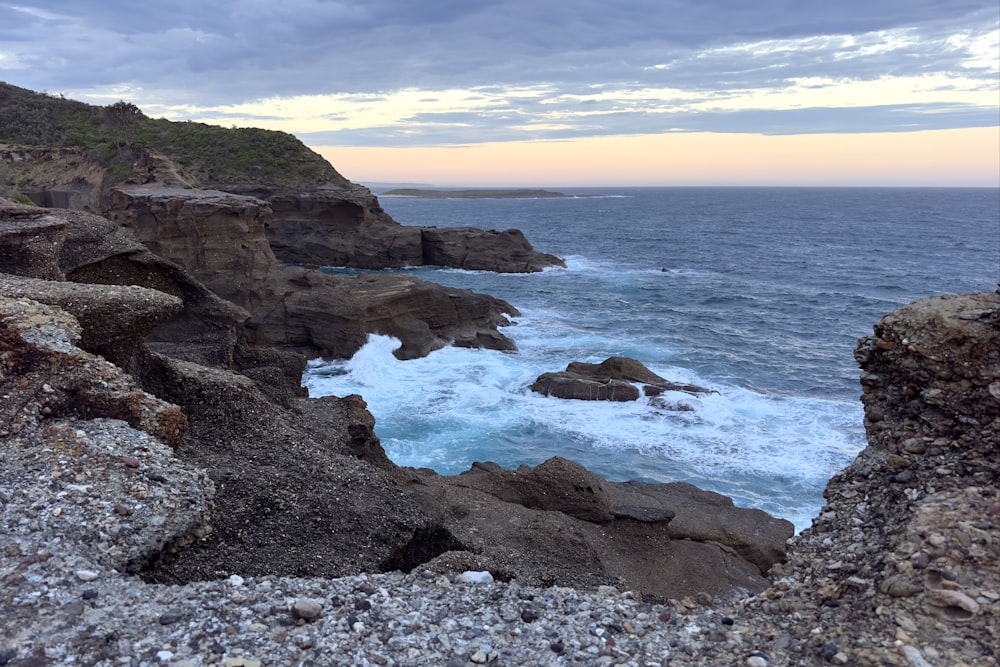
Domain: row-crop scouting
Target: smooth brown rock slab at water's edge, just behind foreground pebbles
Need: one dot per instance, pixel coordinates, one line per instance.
(559, 524)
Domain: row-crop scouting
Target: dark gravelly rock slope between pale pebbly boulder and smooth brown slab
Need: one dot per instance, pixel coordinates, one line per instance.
(300, 491)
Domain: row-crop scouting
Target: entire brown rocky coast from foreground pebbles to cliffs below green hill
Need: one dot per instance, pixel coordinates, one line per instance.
(171, 496)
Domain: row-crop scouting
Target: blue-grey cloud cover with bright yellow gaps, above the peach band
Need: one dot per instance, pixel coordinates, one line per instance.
(418, 72)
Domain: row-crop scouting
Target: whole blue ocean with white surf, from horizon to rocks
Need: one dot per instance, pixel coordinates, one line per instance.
(757, 293)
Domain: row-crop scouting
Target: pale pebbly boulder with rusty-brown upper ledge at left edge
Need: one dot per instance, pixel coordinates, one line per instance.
(78, 433)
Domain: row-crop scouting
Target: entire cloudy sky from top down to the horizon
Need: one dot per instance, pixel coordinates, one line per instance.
(553, 92)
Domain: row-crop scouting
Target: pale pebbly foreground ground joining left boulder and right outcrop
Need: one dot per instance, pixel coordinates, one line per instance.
(900, 567)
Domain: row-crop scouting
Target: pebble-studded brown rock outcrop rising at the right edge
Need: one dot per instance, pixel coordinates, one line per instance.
(900, 566)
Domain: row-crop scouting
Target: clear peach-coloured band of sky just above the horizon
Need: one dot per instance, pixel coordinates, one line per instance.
(967, 157)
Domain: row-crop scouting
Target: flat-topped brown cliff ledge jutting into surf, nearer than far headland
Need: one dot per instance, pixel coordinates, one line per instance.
(219, 237)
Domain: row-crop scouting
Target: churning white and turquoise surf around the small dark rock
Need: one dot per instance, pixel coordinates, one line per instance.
(457, 406)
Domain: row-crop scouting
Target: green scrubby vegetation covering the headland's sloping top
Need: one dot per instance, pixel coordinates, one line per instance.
(210, 153)
